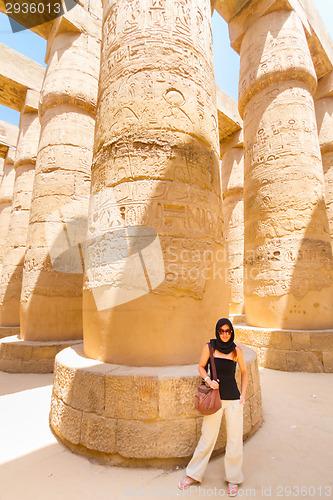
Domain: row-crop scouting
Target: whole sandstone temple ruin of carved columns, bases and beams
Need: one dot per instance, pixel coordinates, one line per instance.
(139, 203)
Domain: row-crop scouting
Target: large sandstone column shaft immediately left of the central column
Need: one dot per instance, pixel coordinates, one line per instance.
(51, 300)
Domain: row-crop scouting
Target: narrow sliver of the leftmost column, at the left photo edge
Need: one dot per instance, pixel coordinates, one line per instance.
(6, 196)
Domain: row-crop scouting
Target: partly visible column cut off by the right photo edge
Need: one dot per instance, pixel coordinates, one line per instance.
(324, 114)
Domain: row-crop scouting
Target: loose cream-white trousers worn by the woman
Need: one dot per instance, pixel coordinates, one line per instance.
(233, 458)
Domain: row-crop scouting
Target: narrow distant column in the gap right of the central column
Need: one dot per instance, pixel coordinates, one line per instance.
(233, 214)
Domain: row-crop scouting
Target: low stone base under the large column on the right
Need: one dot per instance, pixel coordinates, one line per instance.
(289, 350)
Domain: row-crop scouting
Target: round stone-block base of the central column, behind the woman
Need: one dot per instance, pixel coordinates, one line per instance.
(124, 415)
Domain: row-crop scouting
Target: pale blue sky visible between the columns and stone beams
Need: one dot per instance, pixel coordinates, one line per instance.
(226, 59)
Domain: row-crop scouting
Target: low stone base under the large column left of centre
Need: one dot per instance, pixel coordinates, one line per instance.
(23, 356)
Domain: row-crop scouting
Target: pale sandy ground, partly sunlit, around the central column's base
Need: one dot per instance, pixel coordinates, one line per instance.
(290, 456)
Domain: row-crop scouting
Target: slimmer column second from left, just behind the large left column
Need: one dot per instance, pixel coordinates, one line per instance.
(25, 160)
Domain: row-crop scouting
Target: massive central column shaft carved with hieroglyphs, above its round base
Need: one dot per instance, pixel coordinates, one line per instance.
(154, 281)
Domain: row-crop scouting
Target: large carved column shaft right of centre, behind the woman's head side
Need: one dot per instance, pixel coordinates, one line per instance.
(288, 257)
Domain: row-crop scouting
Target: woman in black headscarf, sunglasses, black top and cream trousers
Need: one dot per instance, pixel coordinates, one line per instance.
(226, 355)
